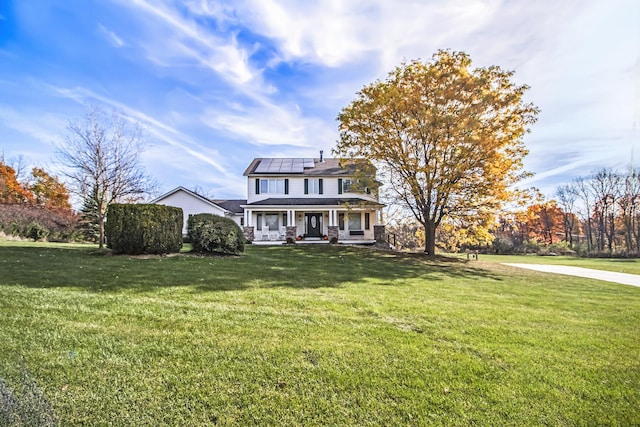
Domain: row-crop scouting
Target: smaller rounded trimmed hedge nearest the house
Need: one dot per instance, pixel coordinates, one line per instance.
(213, 233)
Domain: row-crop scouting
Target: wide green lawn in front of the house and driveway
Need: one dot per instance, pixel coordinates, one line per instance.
(315, 335)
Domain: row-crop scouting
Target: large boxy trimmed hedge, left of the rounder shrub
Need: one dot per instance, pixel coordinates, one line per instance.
(143, 229)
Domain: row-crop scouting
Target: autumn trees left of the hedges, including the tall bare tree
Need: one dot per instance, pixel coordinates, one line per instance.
(100, 159)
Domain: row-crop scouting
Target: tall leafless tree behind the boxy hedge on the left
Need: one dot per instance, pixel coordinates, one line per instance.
(102, 155)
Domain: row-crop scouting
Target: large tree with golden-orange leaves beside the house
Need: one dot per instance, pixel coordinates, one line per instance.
(447, 138)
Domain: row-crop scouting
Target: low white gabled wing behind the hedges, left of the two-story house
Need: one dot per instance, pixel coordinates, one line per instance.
(193, 203)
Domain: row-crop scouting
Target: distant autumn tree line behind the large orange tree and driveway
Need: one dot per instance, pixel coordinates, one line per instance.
(594, 215)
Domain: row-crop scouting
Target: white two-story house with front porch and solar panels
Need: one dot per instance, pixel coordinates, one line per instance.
(306, 199)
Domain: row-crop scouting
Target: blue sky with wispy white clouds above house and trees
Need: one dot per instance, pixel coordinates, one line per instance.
(217, 83)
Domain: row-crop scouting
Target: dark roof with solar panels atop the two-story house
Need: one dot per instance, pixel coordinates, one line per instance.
(303, 167)
